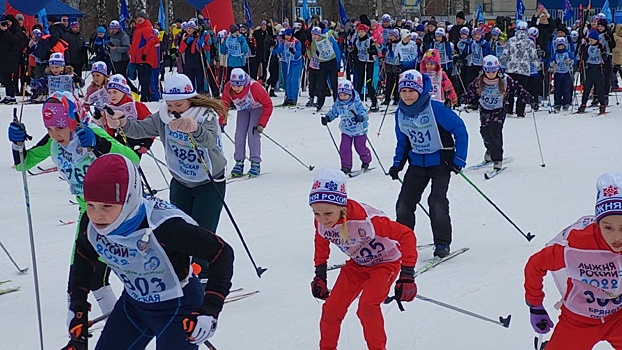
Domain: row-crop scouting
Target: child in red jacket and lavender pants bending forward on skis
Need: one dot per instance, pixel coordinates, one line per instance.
(254, 108)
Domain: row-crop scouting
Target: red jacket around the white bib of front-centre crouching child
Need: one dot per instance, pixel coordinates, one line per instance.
(383, 226)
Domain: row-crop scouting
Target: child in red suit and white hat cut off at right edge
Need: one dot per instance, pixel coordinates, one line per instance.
(585, 260)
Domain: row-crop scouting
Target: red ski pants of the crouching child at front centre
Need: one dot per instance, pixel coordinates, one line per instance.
(373, 283)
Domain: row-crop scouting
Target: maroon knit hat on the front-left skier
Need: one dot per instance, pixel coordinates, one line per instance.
(107, 180)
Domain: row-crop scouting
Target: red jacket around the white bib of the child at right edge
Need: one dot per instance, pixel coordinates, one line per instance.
(551, 258)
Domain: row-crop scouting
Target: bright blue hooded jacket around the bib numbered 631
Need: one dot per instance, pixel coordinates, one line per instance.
(450, 126)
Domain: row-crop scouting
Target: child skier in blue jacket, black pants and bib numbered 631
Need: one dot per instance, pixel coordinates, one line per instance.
(434, 140)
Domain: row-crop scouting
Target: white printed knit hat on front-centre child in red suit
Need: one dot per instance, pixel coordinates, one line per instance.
(329, 186)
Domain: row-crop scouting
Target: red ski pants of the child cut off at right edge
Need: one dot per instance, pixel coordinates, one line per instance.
(573, 333)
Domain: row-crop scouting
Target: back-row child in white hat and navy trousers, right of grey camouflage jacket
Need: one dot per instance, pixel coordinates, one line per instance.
(562, 61)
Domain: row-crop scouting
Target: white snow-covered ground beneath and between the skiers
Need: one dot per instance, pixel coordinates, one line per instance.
(276, 221)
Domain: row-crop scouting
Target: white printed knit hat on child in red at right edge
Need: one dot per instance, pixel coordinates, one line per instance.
(609, 195)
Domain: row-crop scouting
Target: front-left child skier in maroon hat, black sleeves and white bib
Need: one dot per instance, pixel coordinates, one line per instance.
(173, 307)
